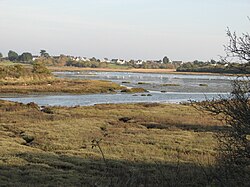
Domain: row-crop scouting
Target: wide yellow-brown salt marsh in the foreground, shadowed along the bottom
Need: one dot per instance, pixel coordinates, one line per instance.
(143, 145)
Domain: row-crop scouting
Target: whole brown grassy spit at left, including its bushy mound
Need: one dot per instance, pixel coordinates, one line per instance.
(38, 79)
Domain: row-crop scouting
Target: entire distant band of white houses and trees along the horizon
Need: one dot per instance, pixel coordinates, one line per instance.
(165, 63)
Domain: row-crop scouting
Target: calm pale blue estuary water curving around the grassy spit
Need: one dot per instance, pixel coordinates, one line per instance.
(163, 88)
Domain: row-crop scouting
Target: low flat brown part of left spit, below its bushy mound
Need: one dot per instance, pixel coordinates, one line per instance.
(60, 86)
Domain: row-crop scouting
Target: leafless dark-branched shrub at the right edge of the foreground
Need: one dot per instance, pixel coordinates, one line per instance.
(233, 160)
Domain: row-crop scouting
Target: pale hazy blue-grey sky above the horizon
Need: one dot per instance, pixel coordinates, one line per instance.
(183, 30)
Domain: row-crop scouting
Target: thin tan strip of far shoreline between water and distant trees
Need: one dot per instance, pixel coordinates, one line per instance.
(134, 70)
